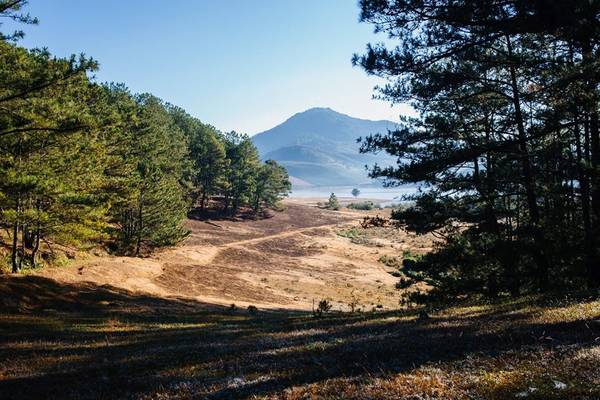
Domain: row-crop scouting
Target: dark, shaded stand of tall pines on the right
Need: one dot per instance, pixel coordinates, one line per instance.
(506, 141)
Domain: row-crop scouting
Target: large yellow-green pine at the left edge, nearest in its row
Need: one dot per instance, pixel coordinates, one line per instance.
(48, 130)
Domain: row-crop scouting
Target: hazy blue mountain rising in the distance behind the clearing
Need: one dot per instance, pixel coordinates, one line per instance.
(318, 147)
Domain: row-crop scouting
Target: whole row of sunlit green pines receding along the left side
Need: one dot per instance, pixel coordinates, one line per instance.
(85, 163)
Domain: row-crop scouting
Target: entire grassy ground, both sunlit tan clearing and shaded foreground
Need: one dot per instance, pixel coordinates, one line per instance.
(115, 327)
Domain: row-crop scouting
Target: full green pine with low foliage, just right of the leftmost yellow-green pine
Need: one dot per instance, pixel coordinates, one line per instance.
(155, 208)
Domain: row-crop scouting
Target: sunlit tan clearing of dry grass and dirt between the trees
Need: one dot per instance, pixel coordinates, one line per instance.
(287, 261)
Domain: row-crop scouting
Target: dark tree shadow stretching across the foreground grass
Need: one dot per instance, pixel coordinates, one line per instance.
(85, 341)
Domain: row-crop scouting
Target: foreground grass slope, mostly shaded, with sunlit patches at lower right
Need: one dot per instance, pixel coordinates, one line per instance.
(82, 342)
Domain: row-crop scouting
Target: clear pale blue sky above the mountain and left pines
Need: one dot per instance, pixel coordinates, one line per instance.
(237, 64)
